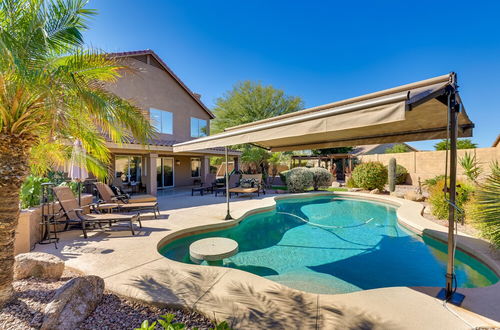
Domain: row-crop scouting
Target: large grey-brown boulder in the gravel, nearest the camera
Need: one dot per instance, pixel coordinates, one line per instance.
(73, 303)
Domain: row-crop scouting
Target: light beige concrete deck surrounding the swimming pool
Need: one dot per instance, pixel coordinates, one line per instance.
(132, 266)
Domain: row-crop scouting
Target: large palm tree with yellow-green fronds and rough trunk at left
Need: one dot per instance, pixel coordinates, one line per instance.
(52, 92)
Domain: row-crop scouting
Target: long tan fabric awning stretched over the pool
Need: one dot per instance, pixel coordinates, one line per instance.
(411, 112)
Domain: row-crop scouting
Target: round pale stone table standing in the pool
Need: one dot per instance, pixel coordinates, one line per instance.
(213, 250)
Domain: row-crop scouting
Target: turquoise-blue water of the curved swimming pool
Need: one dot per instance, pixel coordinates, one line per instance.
(336, 245)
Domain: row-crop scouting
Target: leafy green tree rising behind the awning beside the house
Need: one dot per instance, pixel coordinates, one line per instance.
(250, 101)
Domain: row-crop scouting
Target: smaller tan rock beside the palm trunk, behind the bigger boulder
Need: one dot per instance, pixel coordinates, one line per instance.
(38, 264)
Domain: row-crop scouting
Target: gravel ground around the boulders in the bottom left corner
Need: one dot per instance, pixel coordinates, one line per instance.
(113, 312)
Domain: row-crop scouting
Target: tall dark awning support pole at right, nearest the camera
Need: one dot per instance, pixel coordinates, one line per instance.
(453, 110)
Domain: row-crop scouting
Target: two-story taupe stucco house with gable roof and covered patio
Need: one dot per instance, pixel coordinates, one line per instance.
(178, 115)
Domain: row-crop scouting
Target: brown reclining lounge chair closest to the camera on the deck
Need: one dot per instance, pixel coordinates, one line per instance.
(74, 213)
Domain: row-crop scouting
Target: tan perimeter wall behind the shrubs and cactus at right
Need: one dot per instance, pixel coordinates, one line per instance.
(428, 164)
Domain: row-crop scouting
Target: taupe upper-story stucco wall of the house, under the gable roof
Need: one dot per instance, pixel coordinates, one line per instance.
(151, 87)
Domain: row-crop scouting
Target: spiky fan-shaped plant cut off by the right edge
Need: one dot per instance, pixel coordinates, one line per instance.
(487, 210)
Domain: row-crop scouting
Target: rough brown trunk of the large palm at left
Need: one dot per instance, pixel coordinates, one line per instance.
(13, 170)
